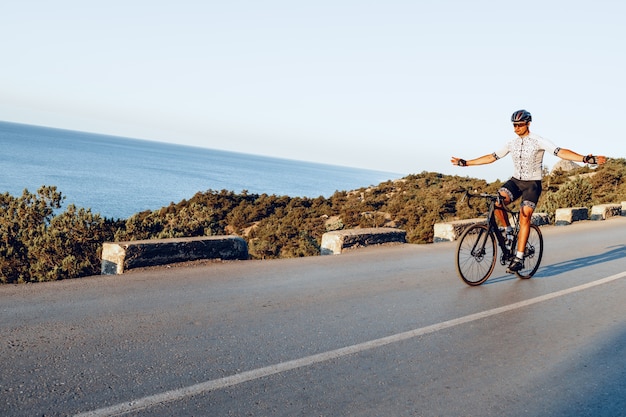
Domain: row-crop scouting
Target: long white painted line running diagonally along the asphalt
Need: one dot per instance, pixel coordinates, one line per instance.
(236, 379)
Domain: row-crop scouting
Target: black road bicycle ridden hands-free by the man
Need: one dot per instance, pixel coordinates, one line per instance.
(477, 254)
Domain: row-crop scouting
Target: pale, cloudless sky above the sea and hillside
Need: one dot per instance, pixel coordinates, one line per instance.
(392, 85)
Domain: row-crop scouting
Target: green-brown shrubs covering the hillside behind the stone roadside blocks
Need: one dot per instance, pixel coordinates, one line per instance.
(39, 242)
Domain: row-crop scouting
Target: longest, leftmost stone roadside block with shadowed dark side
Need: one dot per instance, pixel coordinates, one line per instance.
(120, 256)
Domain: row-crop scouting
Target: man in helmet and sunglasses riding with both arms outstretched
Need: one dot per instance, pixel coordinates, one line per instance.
(527, 151)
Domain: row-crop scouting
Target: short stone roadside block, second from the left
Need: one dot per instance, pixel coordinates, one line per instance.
(335, 242)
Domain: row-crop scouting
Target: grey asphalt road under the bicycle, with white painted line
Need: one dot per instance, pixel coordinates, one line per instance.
(386, 331)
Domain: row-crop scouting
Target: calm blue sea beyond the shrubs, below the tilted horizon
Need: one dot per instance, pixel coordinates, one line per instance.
(118, 177)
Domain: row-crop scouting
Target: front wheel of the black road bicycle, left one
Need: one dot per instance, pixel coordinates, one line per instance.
(476, 254)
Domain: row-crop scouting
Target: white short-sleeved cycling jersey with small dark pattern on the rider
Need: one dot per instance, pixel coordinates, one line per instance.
(527, 153)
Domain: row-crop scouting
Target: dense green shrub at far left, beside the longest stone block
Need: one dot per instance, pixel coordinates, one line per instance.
(40, 246)
